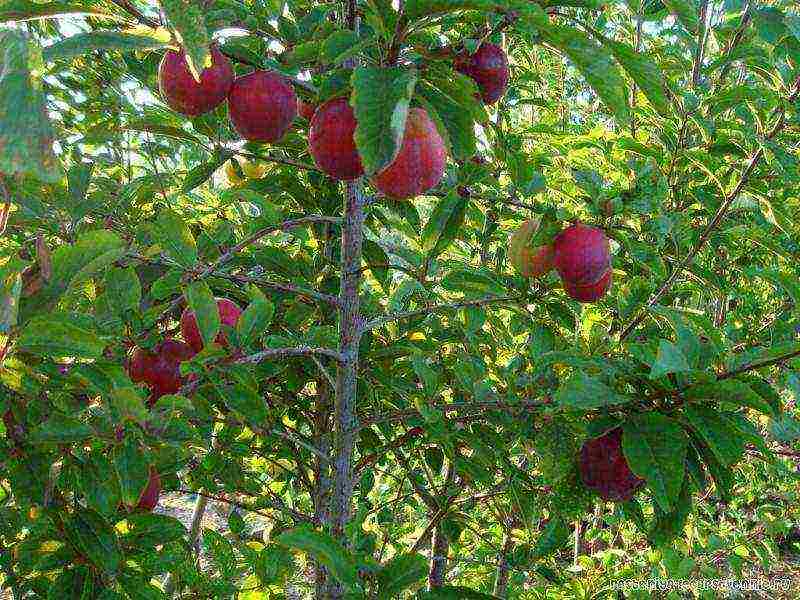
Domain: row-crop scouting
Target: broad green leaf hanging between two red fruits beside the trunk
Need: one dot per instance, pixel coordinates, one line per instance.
(380, 100)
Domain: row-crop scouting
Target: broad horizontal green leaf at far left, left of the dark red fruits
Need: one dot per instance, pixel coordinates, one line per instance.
(62, 335)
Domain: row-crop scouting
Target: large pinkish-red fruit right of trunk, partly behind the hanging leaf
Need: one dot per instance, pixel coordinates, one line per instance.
(420, 164)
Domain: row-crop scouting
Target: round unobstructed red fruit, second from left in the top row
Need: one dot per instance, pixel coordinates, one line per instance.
(262, 106)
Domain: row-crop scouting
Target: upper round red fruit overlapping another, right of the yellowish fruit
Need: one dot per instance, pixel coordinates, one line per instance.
(582, 255)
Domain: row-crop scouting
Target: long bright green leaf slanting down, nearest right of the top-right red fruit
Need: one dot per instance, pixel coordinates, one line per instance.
(596, 64)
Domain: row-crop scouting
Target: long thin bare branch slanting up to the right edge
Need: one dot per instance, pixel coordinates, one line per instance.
(755, 159)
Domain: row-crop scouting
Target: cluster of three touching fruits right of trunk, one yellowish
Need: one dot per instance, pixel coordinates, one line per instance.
(580, 253)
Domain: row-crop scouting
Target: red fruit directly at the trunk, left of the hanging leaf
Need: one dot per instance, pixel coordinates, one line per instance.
(330, 139)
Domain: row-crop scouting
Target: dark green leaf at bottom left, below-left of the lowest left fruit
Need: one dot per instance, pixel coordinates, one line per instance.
(93, 537)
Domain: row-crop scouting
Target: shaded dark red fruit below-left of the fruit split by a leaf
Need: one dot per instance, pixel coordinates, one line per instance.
(160, 368)
